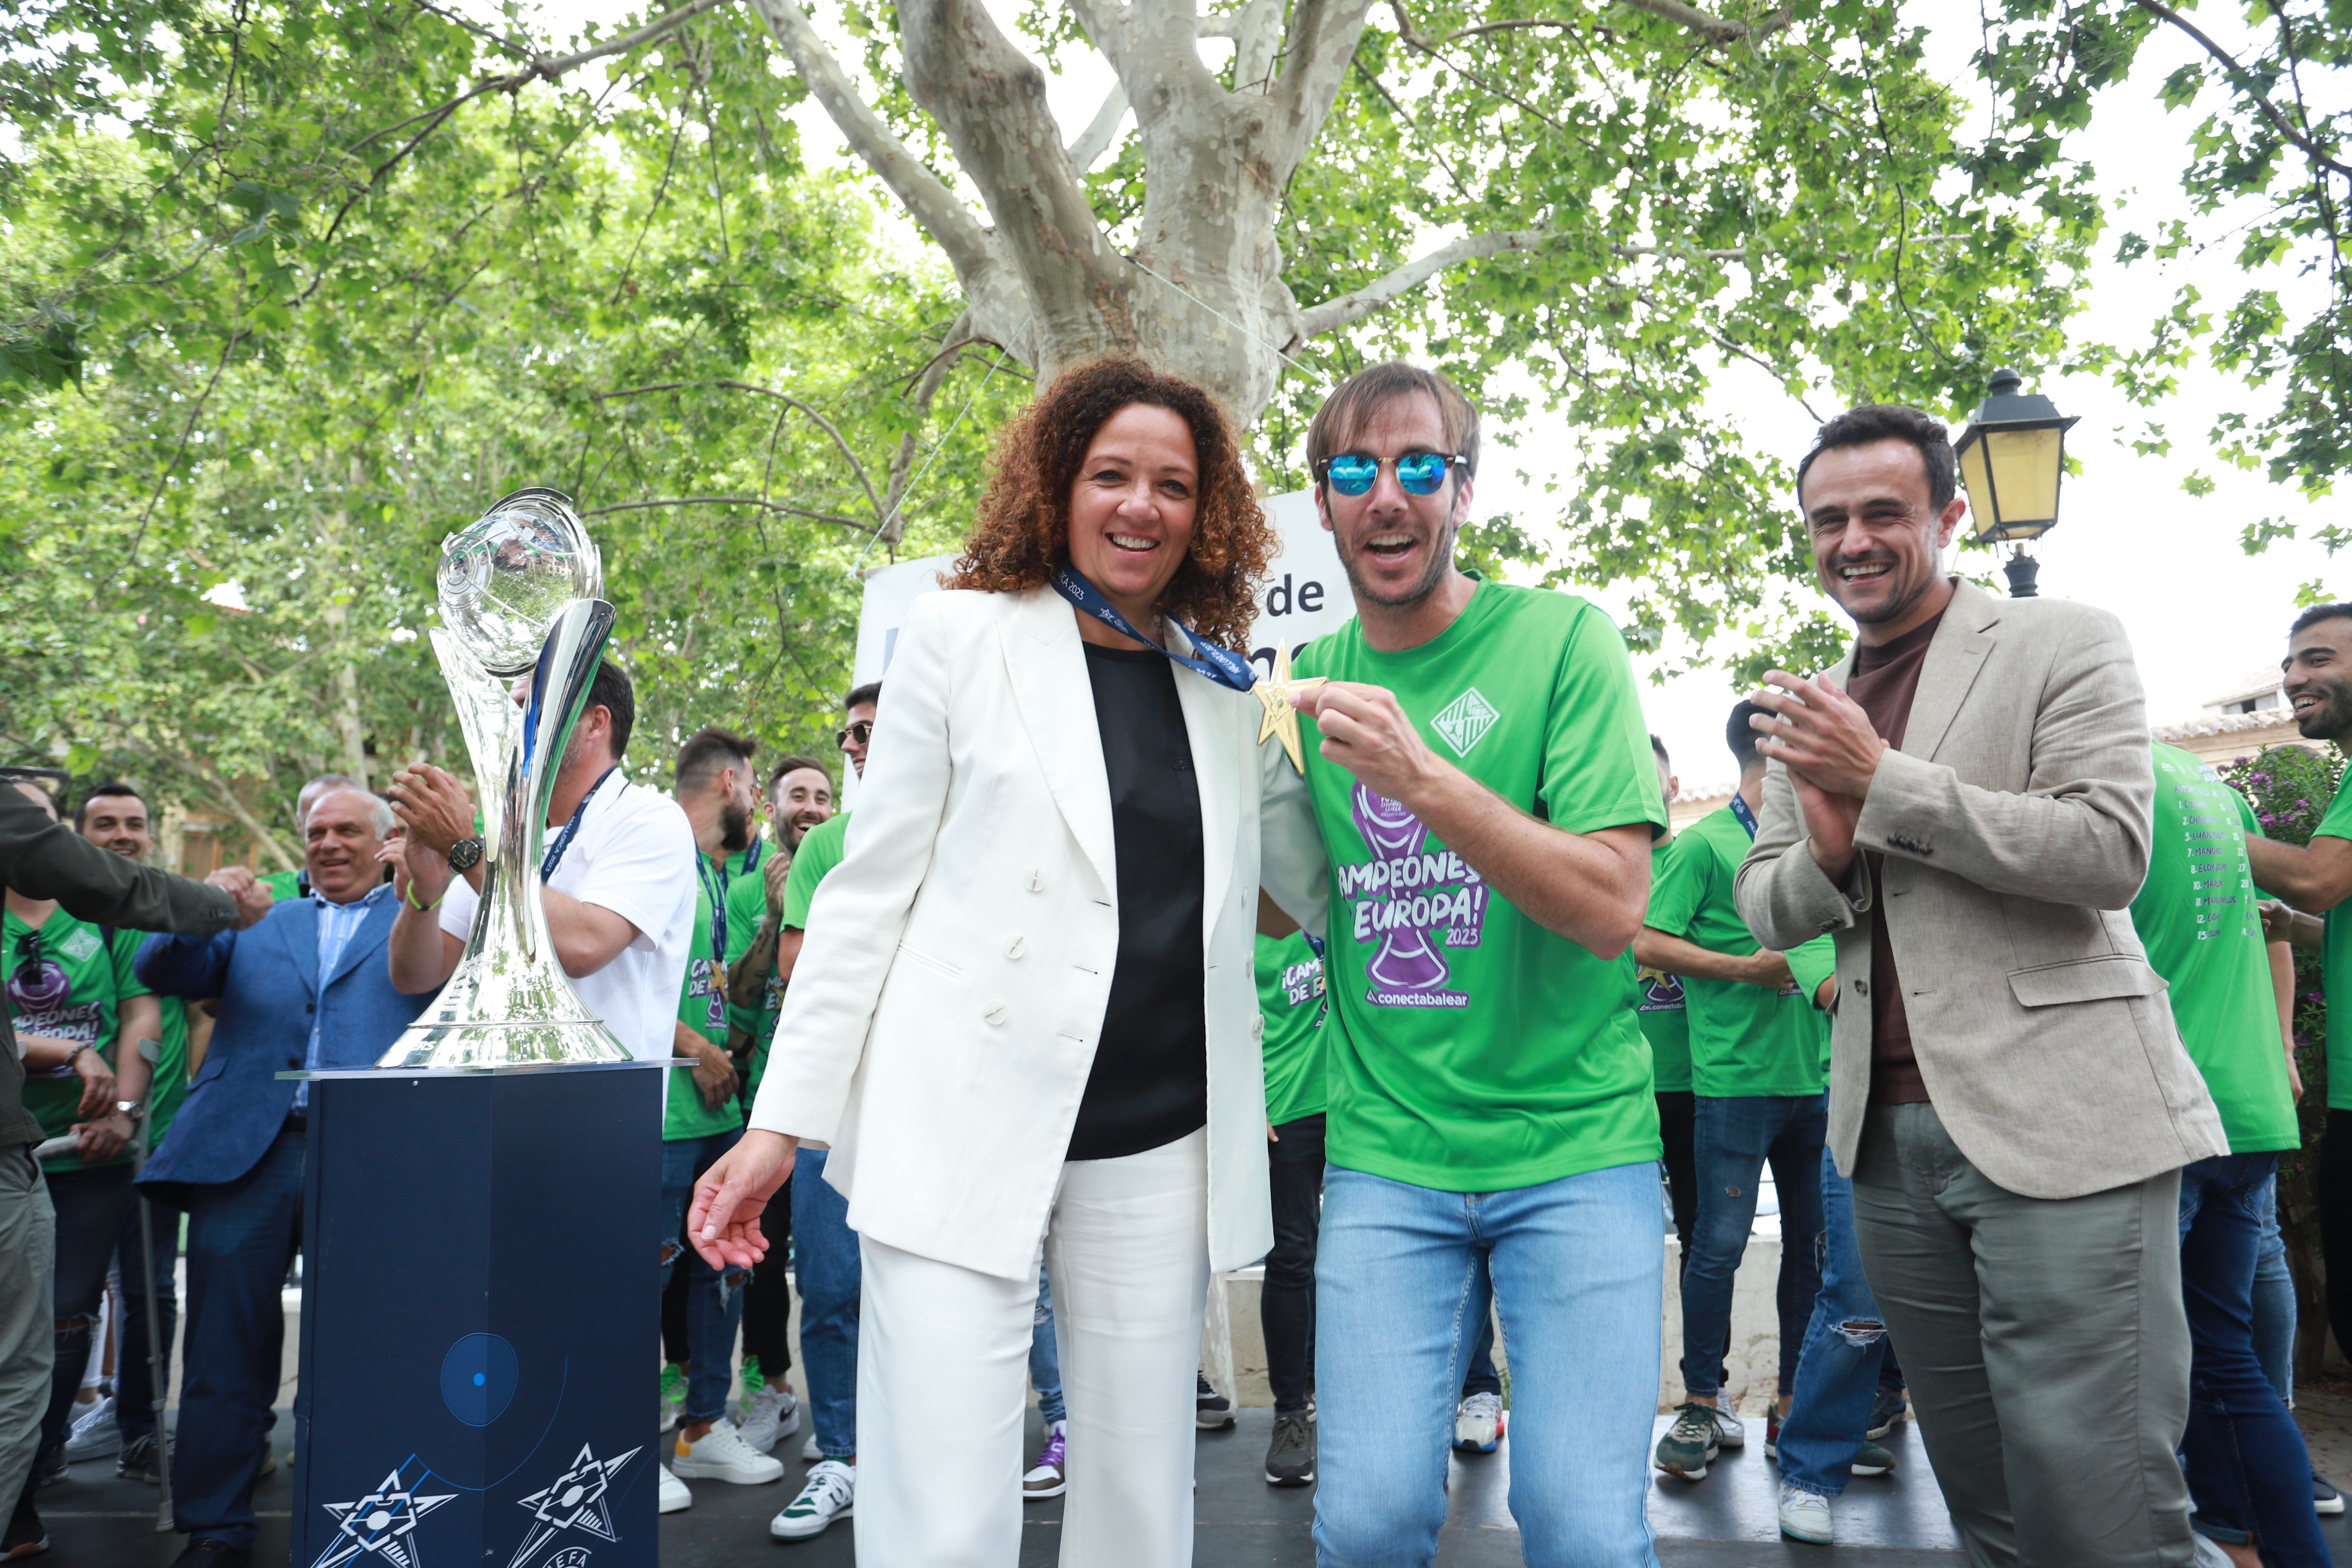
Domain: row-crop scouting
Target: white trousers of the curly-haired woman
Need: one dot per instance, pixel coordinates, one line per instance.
(944, 1379)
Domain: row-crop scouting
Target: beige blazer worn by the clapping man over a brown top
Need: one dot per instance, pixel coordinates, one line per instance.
(2014, 824)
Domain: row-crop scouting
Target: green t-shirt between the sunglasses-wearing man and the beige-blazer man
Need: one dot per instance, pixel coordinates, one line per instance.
(1744, 1040)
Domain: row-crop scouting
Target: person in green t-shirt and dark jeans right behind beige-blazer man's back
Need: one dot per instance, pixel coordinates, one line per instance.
(2245, 1459)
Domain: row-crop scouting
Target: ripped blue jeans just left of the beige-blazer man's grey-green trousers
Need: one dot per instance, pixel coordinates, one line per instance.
(1838, 1372)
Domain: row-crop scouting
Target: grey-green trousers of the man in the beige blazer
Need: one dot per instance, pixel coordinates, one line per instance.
(2045, 1346)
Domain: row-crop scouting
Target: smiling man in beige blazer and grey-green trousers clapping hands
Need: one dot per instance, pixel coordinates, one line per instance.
(1965, 805)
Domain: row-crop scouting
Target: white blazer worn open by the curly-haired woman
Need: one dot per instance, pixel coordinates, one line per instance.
(951, 991)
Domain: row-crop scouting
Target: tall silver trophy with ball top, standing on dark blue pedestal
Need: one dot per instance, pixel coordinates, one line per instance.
(519, 643)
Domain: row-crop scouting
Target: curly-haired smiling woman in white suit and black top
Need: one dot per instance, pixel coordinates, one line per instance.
(1024, 1014)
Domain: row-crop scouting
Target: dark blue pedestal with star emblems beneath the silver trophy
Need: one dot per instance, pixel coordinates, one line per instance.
(481, 1320)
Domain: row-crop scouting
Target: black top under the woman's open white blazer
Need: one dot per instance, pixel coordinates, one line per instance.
(1151, 1068)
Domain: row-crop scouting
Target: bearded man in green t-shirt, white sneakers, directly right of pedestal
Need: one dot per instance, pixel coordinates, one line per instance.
(702, 1118)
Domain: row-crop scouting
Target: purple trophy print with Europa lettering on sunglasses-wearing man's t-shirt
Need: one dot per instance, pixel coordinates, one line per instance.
(1405, 897)
